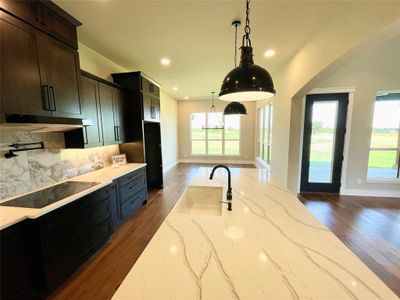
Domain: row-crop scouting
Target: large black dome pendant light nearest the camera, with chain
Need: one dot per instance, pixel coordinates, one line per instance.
(247, 82)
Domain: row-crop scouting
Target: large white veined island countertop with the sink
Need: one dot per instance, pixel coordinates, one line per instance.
(269, 247)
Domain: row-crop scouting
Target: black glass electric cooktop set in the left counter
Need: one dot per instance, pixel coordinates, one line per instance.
(50, 195)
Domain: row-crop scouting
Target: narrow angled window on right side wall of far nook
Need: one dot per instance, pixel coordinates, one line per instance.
(265, 132)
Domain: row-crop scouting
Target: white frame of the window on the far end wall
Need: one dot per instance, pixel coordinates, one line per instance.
(207, 139)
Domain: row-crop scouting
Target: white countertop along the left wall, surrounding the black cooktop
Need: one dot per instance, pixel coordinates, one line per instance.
(12, 215)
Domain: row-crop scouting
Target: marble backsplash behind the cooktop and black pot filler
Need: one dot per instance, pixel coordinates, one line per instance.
(34, 169)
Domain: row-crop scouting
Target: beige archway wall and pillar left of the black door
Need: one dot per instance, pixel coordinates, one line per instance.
(320, 54)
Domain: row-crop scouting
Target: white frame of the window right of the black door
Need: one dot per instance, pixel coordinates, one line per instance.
(396, 149)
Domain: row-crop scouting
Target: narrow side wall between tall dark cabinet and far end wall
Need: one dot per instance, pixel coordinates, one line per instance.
(169, 130)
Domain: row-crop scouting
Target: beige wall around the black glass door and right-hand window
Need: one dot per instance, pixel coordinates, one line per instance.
(378, 69)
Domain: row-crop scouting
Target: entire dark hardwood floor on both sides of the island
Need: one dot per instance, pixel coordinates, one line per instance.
(369, 226)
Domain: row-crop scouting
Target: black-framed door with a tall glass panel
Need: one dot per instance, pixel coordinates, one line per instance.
(323, 142)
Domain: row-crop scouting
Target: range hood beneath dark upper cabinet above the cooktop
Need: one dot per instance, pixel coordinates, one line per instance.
(39, 123)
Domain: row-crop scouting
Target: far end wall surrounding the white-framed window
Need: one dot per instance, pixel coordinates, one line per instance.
(247, 132)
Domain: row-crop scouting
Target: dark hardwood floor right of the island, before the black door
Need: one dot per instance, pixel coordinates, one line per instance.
(369, 226)
